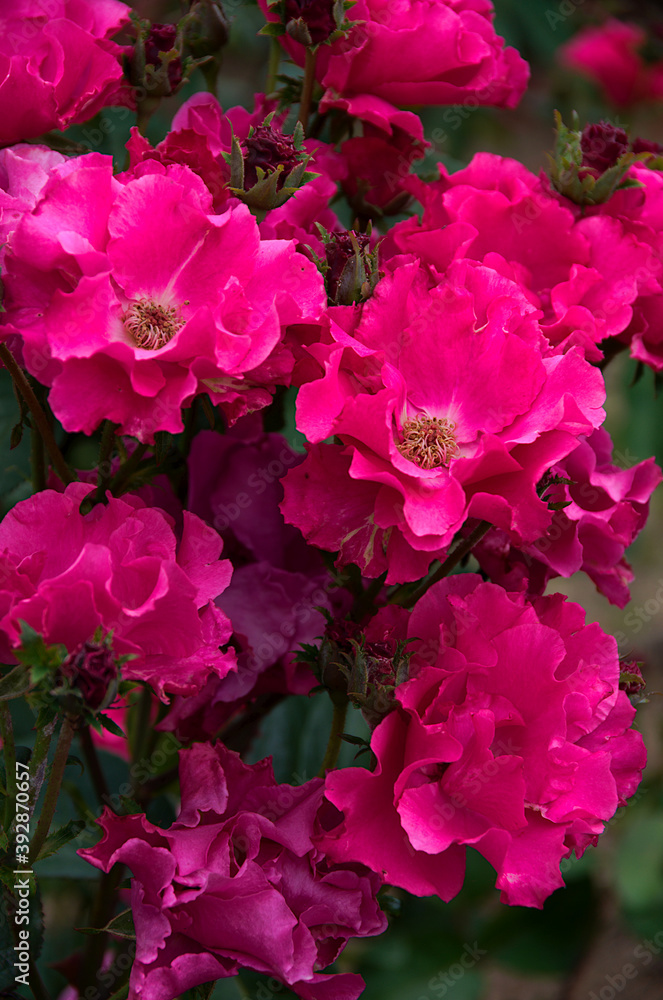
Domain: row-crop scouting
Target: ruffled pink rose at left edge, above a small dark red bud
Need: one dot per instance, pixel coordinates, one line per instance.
(120, 568)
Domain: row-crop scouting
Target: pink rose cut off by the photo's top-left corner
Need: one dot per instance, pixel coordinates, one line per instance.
(58, 66)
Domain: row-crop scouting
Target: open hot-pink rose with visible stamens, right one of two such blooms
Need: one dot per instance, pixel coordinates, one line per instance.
(445, 407)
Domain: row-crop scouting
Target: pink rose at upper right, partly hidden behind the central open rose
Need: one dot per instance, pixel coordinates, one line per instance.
(585, 273)
